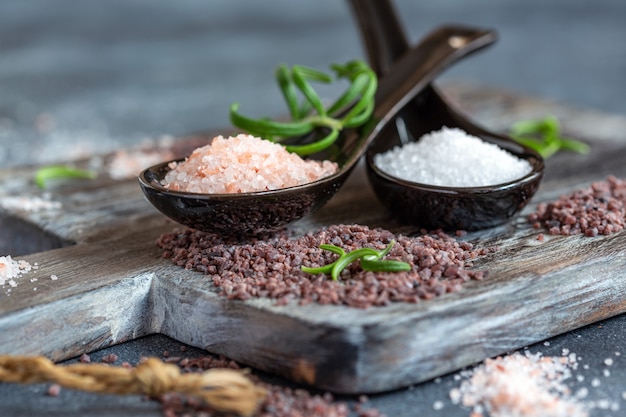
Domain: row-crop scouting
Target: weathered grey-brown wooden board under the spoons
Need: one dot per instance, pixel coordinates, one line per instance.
(113, 285)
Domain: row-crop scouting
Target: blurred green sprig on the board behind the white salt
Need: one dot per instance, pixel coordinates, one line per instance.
(544, 136)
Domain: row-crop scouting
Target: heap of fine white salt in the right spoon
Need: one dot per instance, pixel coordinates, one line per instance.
(451, 158)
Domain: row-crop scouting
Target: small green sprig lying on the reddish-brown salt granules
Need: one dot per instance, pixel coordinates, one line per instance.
(371, 260)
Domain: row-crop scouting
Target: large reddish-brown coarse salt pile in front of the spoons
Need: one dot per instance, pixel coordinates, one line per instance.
(272, 269)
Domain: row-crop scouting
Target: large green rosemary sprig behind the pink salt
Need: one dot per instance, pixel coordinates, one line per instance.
(351, 109)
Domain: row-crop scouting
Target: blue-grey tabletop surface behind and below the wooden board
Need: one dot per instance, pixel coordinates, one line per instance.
(90, 76)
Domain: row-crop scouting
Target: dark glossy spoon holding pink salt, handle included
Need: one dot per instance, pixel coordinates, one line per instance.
(254, 213)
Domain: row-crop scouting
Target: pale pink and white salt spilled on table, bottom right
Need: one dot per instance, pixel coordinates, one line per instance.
(520, 385)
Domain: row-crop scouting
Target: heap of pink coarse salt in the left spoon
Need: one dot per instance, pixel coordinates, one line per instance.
(242, 164)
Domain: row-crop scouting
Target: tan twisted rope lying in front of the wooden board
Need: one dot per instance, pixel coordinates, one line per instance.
(225, 390)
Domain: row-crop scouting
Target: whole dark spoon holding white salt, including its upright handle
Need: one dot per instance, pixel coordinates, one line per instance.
(422, 205)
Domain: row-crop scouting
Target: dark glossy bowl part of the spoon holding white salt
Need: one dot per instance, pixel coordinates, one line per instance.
(451, 208)
